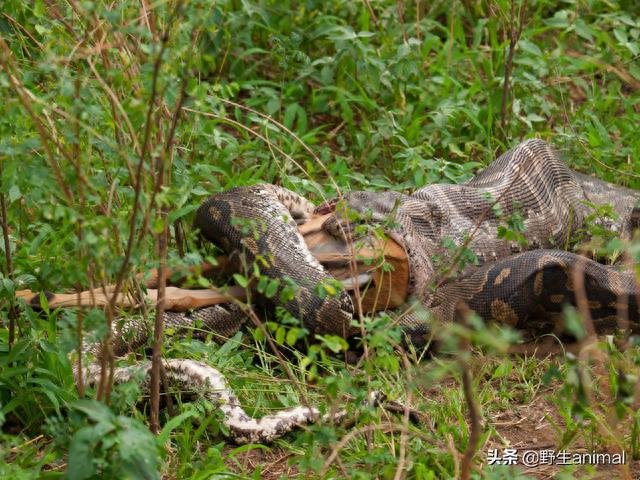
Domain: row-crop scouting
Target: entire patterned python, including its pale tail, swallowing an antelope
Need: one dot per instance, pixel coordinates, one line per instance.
(523, 282)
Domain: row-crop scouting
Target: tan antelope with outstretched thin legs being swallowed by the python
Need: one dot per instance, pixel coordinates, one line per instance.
(380, 289)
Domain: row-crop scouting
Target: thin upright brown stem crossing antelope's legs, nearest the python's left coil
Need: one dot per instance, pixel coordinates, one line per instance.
(156, 358)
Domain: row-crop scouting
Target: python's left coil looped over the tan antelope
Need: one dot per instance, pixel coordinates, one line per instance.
(260, 223)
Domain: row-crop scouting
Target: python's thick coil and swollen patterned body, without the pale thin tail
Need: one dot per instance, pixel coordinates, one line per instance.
(516, 282)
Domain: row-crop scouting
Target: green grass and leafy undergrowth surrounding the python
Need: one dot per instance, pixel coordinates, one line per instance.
(118, 118)
